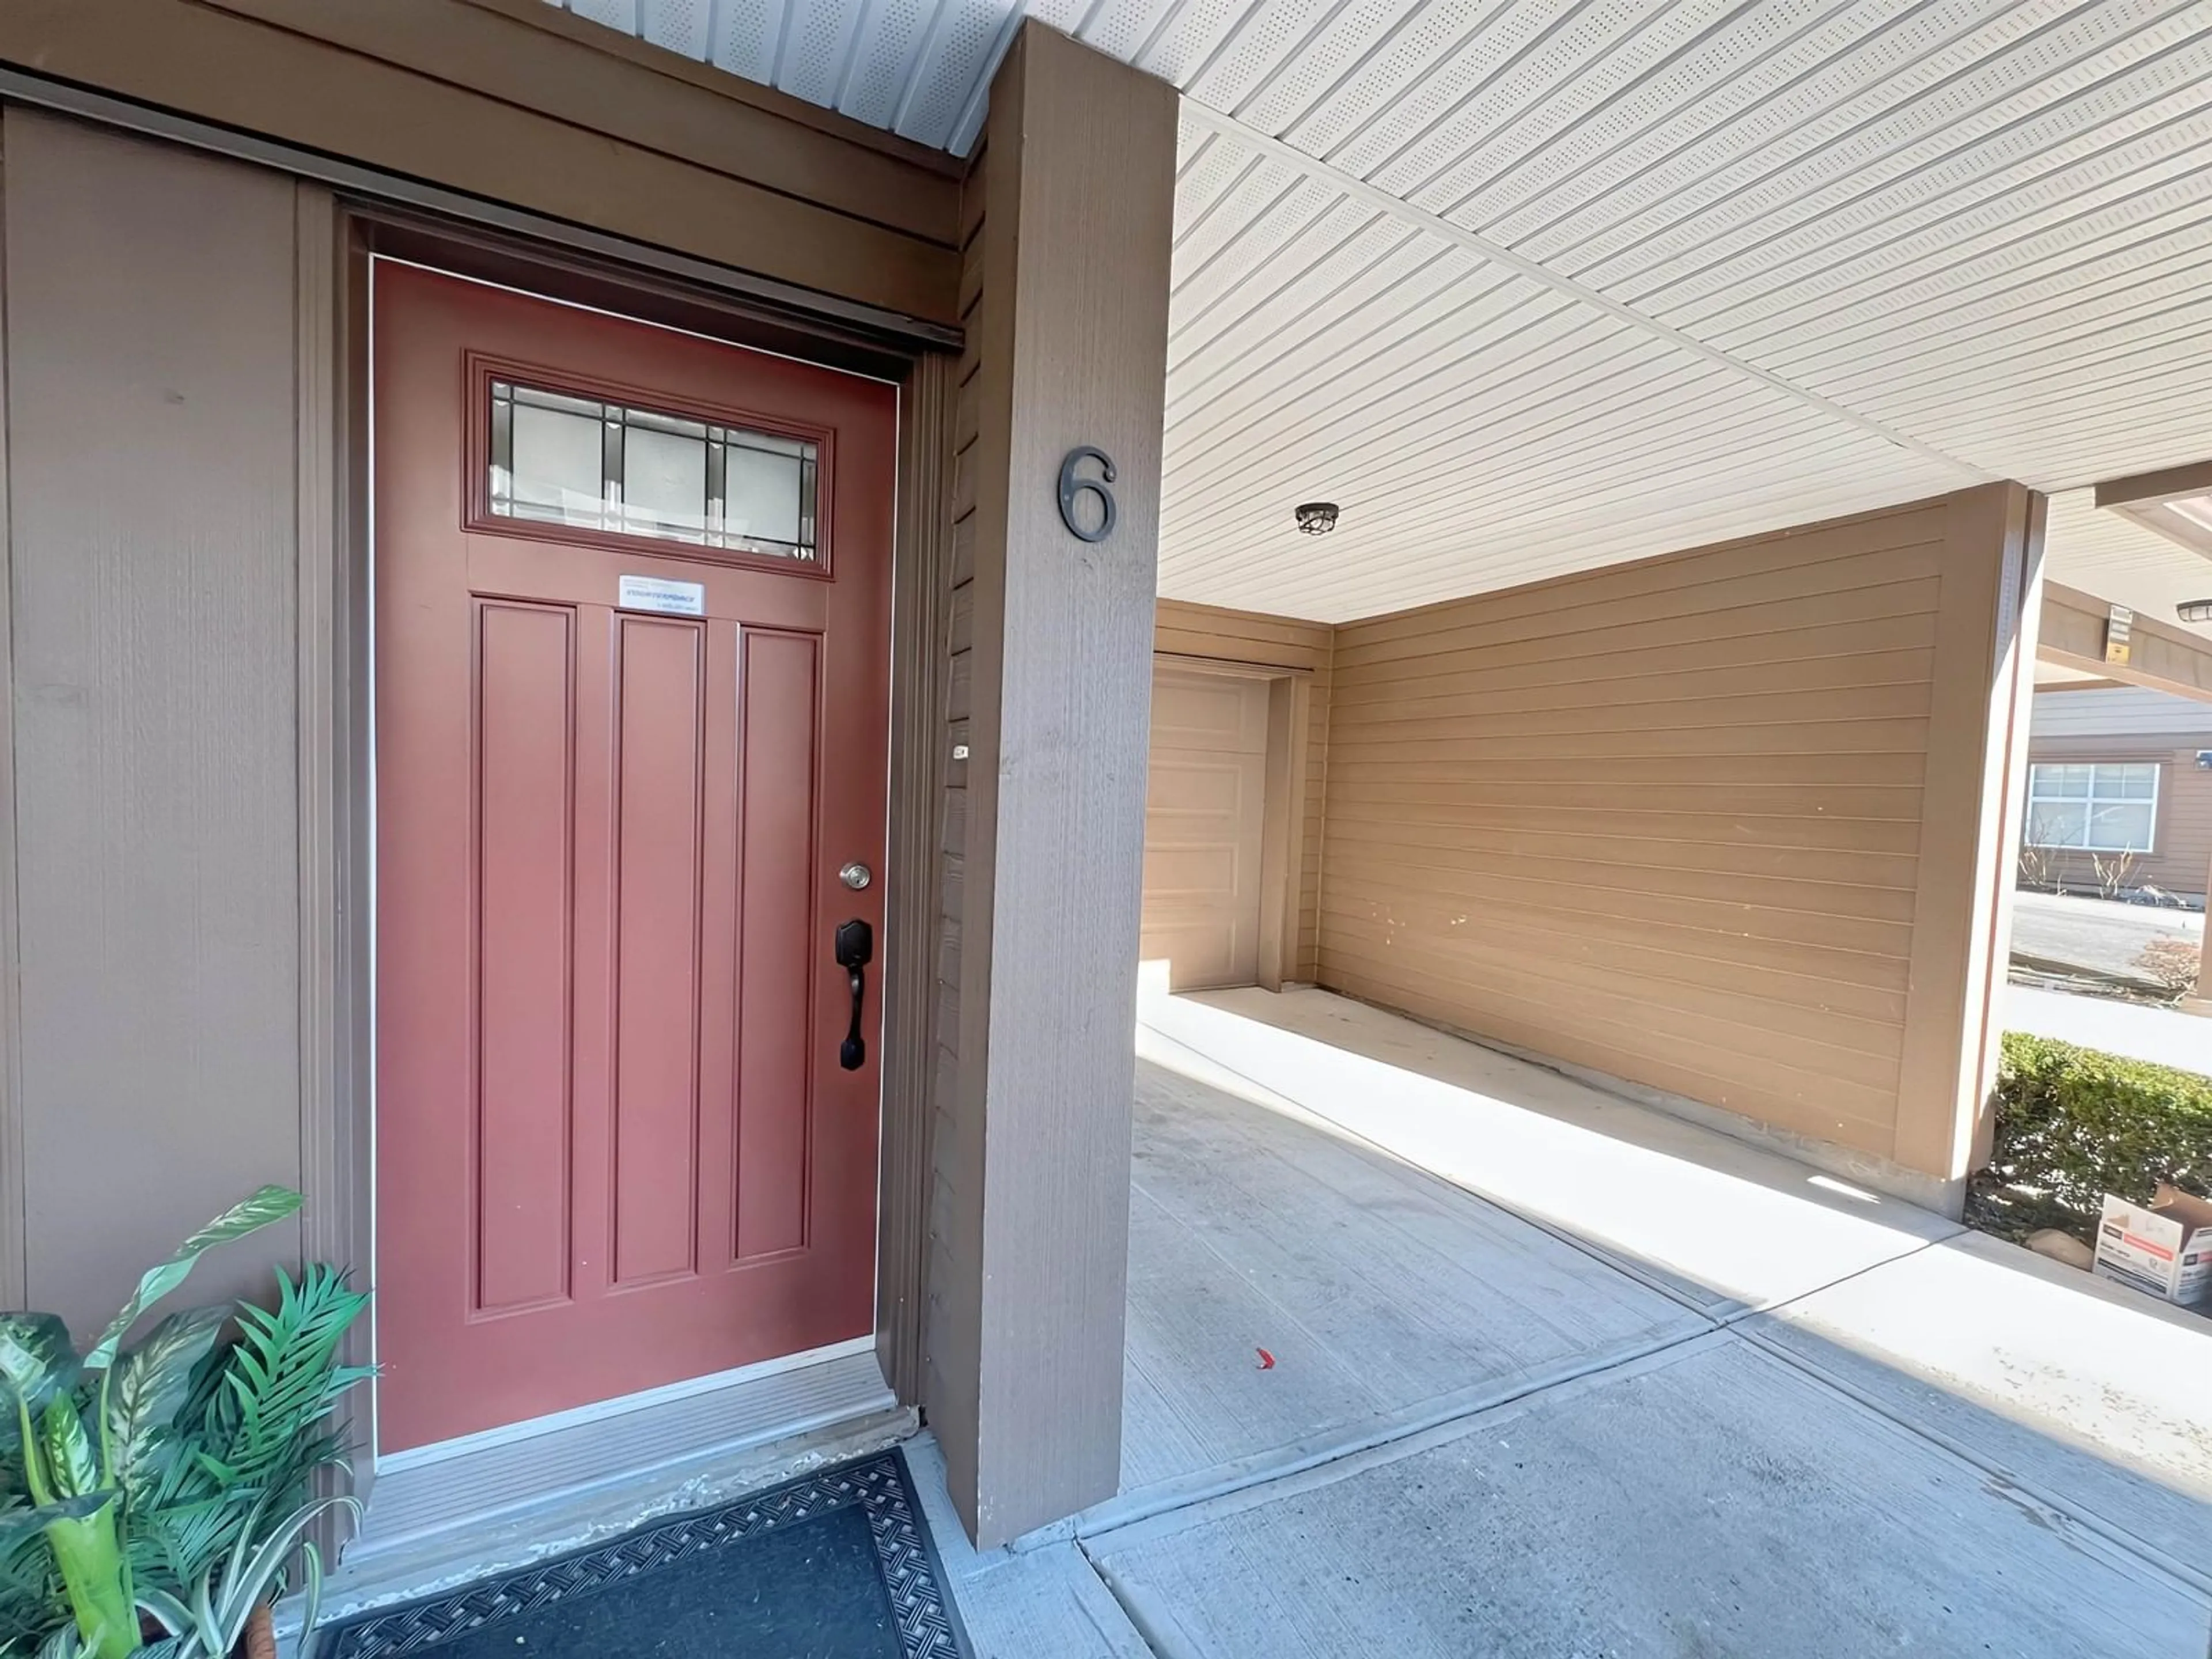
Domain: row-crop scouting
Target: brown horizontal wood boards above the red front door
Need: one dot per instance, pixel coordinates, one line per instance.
(525, 107)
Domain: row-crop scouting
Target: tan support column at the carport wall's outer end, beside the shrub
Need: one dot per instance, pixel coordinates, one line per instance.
(1972, 800)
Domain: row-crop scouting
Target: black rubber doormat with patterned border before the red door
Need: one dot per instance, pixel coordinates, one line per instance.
(828, 1567)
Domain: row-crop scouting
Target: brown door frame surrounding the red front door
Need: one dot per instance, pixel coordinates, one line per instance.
(337, 242)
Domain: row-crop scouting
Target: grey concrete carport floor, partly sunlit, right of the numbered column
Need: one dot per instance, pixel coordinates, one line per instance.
(1556, 1375)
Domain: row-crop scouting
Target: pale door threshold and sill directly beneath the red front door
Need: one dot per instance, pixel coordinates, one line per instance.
(457, 1512)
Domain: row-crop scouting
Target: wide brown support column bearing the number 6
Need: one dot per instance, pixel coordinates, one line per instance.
(1065, 293)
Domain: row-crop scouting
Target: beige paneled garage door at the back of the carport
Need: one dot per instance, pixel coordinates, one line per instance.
(1204, 826)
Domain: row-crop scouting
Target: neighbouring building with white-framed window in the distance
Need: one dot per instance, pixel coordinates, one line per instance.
(2120, 778)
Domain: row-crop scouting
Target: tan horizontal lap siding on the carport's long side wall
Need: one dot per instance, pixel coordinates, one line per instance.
(1660, 820)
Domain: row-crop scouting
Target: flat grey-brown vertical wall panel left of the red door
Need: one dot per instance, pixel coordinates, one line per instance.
(152, 410)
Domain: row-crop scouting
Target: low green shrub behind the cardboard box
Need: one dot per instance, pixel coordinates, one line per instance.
(2076, 1125)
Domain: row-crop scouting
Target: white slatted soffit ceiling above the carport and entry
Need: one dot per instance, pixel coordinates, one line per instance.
(1534, 286)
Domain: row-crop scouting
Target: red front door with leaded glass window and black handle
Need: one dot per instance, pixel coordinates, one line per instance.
(632, 720)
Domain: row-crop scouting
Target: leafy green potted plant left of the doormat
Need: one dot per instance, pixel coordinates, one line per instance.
(169, 1481)
